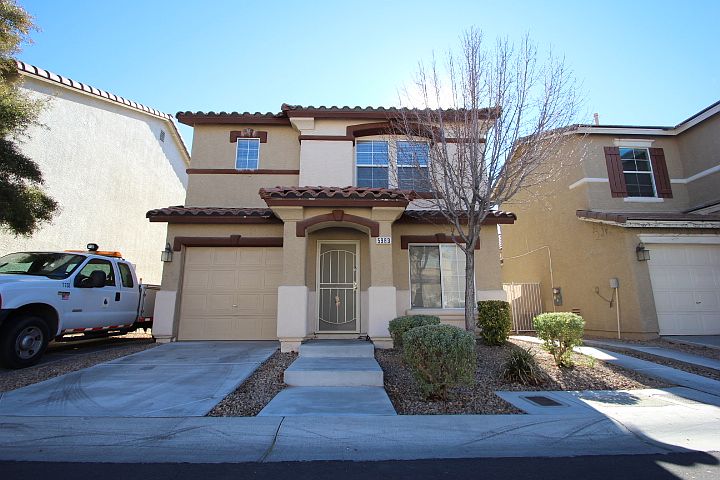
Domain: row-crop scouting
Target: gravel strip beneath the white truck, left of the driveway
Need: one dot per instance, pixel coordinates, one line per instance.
(66, 363)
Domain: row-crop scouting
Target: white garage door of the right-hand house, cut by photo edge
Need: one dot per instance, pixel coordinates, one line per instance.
(686, 286)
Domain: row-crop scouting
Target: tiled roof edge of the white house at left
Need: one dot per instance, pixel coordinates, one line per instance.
(48, 76)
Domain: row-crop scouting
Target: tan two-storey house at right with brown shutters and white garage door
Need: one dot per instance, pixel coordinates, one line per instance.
(639, 192)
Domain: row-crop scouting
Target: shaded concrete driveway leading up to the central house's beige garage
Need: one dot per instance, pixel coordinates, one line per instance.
(171, 380)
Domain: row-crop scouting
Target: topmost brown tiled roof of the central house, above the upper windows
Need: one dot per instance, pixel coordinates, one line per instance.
(290, 111)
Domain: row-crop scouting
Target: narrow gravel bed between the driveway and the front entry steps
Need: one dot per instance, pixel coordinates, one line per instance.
(257, 391)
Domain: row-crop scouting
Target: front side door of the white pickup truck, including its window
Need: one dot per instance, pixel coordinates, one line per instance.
(90, 307)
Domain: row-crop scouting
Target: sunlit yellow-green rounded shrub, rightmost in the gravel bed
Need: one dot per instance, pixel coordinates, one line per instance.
(560, 332)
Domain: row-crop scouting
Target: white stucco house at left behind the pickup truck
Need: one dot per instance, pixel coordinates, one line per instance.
(106, 160)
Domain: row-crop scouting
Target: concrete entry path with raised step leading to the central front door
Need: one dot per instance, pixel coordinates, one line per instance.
(332, 377)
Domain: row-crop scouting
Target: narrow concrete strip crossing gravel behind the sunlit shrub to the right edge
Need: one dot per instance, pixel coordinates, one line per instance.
(668, 374)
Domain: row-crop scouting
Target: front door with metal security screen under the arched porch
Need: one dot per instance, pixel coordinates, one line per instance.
(337, 289)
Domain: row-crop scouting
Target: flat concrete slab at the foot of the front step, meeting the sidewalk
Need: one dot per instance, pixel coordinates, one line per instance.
(336, 401)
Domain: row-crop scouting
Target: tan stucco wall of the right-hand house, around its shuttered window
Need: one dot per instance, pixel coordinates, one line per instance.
(586, 255)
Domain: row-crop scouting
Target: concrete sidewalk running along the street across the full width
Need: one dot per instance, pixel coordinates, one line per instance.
(611, 429)
